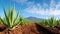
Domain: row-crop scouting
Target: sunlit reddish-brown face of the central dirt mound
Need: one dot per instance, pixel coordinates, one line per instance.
(27, 29)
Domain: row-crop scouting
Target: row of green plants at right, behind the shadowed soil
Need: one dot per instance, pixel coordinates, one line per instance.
(52, 22)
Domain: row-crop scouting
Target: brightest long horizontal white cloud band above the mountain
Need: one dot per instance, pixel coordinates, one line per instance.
(36, 10)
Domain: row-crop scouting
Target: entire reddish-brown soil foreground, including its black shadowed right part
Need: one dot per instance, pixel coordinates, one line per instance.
(31, 29)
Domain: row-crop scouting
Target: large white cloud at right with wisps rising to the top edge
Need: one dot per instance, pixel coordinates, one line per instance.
(37, 9)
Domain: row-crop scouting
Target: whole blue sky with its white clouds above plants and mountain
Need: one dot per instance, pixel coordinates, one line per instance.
(37, 8)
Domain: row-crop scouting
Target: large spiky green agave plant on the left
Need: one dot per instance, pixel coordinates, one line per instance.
(11, 19)
